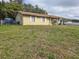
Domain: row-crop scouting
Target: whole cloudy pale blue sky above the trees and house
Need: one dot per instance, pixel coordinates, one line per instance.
(65, 8)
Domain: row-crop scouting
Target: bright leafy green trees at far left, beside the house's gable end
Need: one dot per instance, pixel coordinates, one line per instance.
(9, 9)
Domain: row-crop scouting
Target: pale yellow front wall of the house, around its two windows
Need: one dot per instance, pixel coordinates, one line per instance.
(38, 21)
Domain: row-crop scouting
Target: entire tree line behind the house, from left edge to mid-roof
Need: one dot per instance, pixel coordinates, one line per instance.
(9, 9)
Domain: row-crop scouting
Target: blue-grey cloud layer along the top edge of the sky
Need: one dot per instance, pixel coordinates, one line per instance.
(63, 3)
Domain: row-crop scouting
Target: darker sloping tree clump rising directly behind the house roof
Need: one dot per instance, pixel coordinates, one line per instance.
(34, 9)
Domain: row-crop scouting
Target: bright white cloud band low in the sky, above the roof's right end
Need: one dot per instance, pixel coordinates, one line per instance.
(69, 12)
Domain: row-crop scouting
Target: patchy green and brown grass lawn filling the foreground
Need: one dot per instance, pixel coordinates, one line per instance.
(39, 42)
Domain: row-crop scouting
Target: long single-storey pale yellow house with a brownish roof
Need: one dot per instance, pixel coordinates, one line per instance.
(28, 18)
